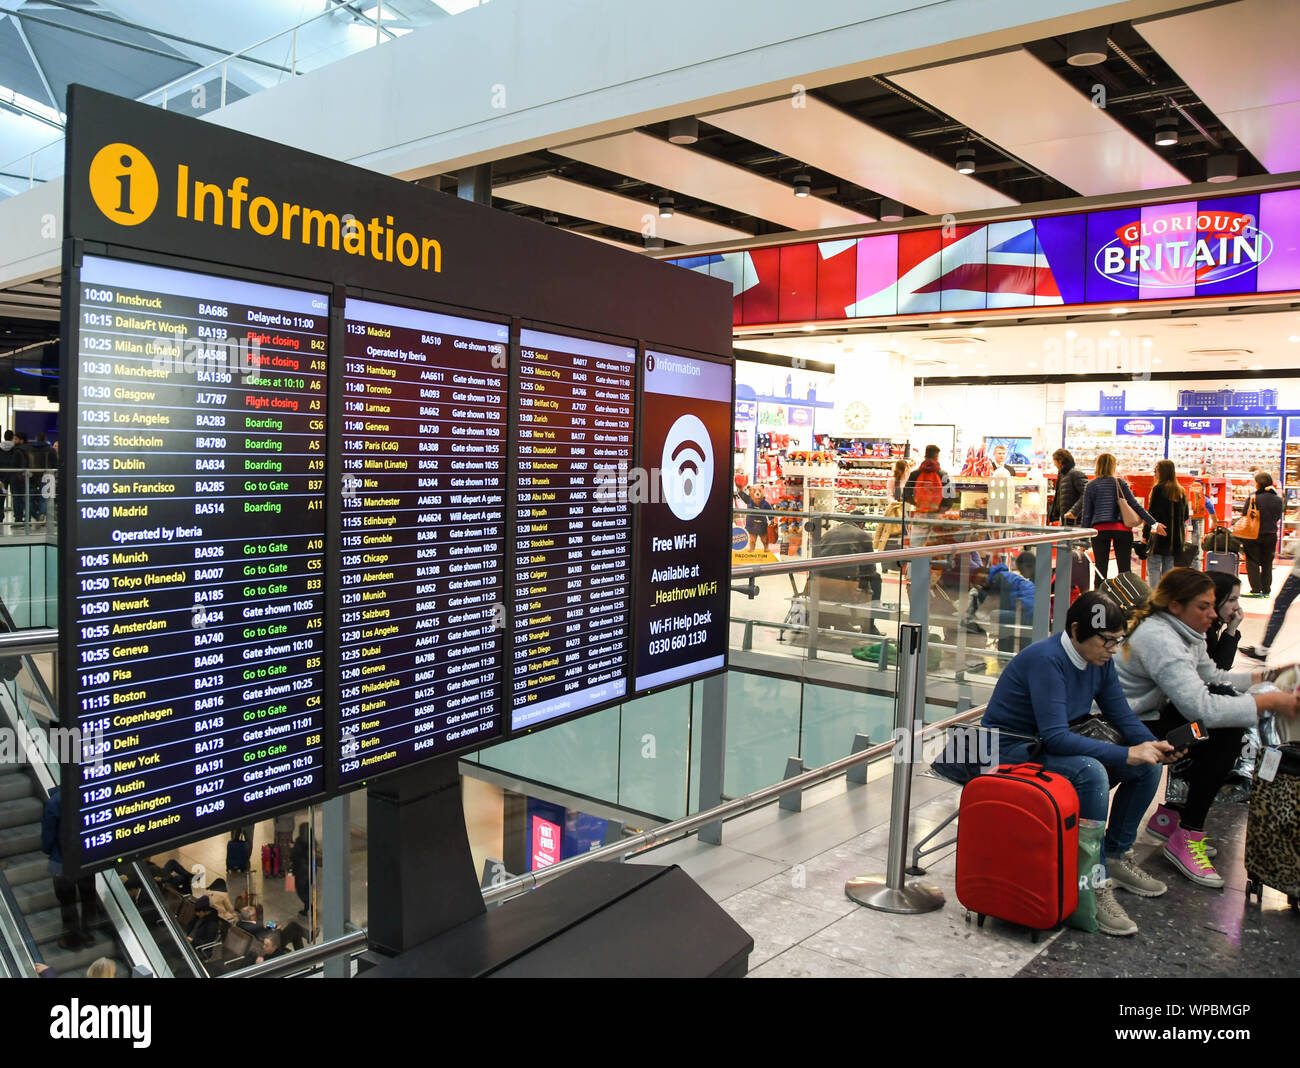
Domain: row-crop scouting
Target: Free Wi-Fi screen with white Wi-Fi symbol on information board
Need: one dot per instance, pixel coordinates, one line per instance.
(684, 571)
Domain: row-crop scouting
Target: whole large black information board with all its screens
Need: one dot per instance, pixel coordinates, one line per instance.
(349, 479)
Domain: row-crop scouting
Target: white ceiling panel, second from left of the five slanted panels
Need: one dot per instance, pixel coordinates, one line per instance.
(696, 175)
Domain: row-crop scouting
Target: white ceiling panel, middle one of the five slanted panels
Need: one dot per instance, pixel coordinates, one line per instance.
(838, 144)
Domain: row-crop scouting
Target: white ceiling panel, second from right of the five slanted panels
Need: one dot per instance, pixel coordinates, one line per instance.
(1052, 125)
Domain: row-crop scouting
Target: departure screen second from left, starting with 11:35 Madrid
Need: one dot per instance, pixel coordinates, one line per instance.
(423, 615)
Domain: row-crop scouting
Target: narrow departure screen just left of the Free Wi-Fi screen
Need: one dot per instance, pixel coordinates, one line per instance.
(573, 566)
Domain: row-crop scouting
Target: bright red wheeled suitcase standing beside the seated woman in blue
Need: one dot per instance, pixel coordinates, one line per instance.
(1019, 846)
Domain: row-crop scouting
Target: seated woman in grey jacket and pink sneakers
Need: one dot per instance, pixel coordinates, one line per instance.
(1171, 680)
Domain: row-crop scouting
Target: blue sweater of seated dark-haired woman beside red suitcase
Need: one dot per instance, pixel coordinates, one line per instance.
(1042, 692)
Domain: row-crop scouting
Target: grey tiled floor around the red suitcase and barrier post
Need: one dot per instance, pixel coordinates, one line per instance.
(782, 876)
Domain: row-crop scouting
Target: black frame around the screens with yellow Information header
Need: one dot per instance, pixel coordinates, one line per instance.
(491, 267)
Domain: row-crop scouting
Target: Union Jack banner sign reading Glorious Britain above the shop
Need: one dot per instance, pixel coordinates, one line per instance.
(1240, 245)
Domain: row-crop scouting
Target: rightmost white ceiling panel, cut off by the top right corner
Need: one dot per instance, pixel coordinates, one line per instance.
(1241, 60)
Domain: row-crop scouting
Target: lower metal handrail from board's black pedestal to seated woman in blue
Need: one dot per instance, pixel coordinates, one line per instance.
(729, 810)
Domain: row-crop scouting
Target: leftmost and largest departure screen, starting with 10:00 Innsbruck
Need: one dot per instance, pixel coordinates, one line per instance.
(196, 552)
